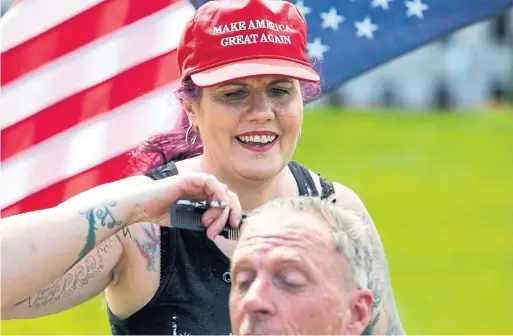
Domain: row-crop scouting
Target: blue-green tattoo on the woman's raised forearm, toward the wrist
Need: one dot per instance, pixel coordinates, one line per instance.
(100, 216)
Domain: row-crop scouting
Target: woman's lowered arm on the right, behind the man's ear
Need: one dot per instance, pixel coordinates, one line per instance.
(385, 318)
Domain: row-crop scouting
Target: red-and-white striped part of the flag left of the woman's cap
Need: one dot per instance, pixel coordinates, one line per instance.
(83, 82)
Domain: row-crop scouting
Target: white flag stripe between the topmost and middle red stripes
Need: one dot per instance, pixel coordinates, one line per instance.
(87, 66)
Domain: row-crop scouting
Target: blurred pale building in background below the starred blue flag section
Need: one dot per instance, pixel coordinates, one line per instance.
(468, 69)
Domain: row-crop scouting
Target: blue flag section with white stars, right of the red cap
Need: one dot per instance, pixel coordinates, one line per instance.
(350, 37)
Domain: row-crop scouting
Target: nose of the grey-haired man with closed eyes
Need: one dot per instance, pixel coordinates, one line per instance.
(258, 299)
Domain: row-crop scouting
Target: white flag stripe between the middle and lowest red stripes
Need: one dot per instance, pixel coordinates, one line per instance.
(88, 144)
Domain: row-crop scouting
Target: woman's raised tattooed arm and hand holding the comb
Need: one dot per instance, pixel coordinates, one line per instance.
(69, 247)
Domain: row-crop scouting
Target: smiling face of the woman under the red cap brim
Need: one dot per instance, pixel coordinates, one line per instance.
(250, 127)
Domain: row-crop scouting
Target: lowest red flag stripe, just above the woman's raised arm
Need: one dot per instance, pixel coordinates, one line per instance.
(57, 193)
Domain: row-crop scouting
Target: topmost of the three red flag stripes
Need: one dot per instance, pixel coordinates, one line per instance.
(74, 33)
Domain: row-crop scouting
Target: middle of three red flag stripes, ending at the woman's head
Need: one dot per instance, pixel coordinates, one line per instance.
(89, 103)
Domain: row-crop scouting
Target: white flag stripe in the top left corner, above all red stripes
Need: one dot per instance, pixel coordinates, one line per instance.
(43, 15)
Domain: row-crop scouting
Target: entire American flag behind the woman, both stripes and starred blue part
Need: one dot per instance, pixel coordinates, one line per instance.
(85, 81)
